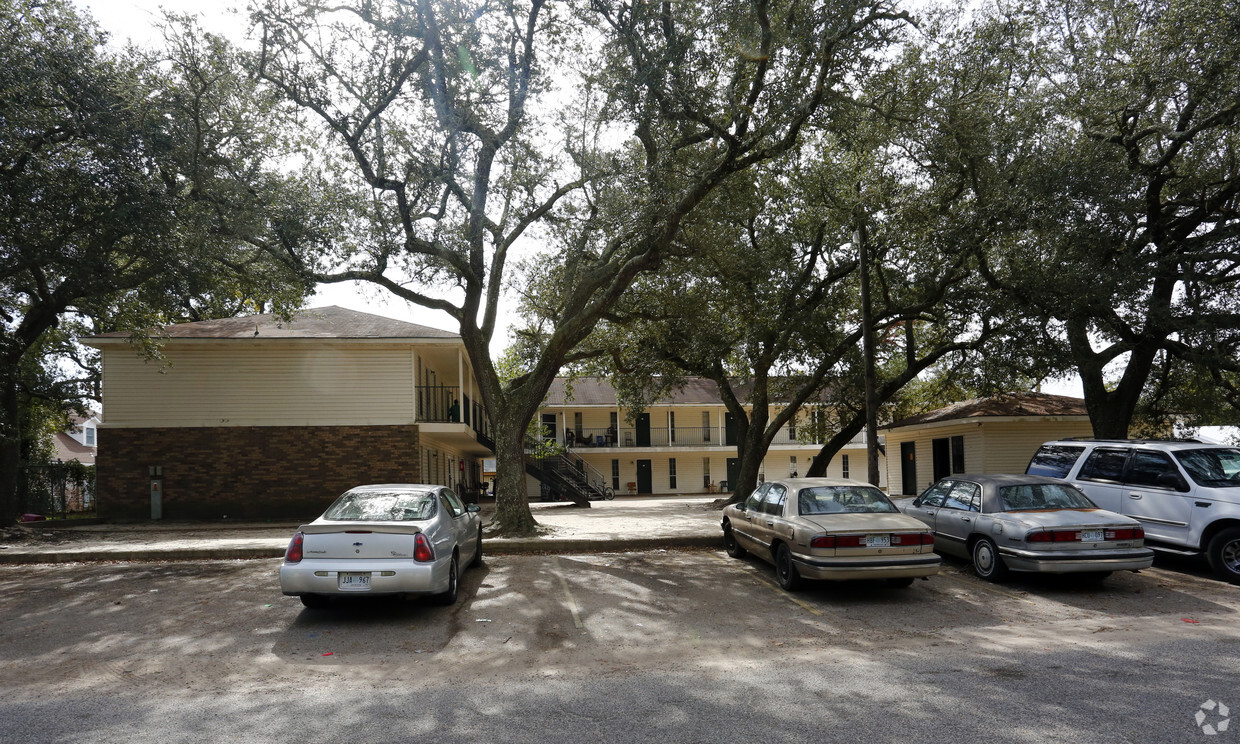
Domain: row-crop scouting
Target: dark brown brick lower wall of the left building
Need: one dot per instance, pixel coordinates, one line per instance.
(249, 473)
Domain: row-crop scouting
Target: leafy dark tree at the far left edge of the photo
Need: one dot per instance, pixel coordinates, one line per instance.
(130, 188)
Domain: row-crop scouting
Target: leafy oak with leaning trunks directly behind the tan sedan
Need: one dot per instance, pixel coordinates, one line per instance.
(766, 302)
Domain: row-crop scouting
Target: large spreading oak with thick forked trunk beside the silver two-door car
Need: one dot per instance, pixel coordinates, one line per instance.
(461, 136)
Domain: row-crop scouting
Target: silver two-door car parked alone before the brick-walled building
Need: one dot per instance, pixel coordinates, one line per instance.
(394, 539)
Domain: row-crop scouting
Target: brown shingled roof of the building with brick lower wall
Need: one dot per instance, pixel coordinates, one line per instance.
(314, 323)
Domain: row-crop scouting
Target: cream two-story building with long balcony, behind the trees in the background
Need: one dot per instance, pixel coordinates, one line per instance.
(683, 445)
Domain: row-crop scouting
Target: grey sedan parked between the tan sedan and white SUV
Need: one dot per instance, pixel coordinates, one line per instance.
(1029, 524)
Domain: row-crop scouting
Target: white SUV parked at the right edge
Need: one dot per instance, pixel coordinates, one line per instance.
(1186, 494)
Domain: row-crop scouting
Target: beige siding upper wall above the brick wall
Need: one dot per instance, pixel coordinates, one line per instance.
(220, 385)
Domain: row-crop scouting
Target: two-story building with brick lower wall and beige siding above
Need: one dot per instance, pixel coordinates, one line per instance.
(257, 417)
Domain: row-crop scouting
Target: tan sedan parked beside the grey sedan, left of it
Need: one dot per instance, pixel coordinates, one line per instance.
(829, 529)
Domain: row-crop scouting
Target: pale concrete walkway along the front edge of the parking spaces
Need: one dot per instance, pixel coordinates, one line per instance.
(628, 524)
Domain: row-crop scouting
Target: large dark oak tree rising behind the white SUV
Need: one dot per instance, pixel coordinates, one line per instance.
(1120, 208)
